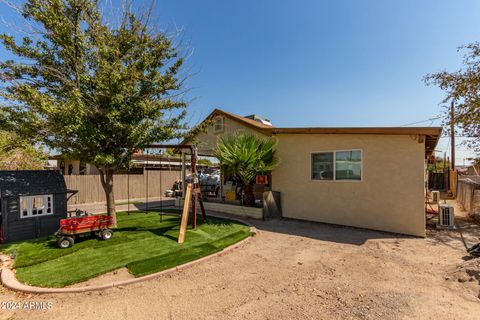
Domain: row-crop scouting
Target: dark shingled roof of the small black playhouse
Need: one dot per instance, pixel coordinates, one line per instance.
(31, 182)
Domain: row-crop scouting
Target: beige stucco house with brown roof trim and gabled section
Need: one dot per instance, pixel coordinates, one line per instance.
(367, 177)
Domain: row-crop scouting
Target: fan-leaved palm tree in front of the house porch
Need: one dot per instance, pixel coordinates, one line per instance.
(245, 156)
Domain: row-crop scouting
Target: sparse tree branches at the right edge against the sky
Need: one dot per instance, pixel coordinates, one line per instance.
(463, 88)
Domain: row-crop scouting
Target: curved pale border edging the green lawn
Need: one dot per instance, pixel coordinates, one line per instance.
(9, 280)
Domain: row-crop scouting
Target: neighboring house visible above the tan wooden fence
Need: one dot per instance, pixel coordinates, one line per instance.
(140, 161)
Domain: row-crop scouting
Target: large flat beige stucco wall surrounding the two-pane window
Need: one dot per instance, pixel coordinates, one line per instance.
(389, 198)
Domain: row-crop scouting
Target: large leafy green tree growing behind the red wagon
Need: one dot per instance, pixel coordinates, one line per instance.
(92, 89)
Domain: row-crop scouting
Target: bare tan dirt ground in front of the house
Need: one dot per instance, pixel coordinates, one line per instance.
(297, 270)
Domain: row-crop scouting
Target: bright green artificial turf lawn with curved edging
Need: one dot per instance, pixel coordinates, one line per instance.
(141, 243)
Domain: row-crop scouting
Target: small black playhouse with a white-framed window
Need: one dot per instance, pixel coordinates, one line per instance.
(31, 204)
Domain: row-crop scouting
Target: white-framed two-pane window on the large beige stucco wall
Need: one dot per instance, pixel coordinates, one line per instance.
(337, 165)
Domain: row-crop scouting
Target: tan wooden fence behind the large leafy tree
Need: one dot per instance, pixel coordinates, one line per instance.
(132, 186)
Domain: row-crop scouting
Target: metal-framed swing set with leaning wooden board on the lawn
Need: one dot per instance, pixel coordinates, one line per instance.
(191, 193)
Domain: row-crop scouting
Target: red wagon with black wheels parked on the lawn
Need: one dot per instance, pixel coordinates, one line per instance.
(99, 225)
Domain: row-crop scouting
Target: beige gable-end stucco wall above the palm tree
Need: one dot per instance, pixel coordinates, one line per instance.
(207, 141)
